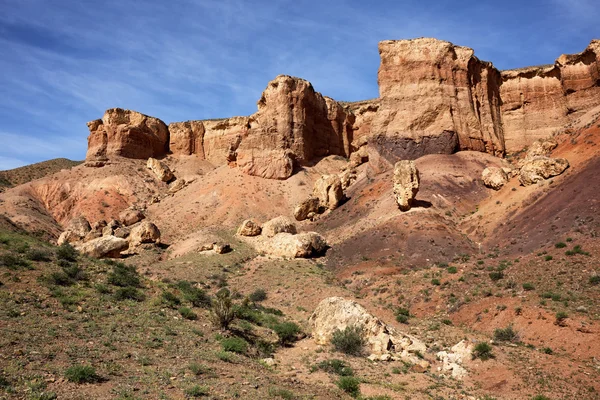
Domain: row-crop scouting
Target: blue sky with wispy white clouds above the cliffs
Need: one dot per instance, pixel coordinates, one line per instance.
(63, 62)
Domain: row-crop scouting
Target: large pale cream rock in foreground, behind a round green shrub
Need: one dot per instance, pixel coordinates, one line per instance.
(337, 313)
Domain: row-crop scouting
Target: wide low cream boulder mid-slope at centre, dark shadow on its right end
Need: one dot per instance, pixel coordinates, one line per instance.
(302, 245)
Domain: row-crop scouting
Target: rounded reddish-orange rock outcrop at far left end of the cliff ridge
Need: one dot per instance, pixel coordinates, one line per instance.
(126, 133)
